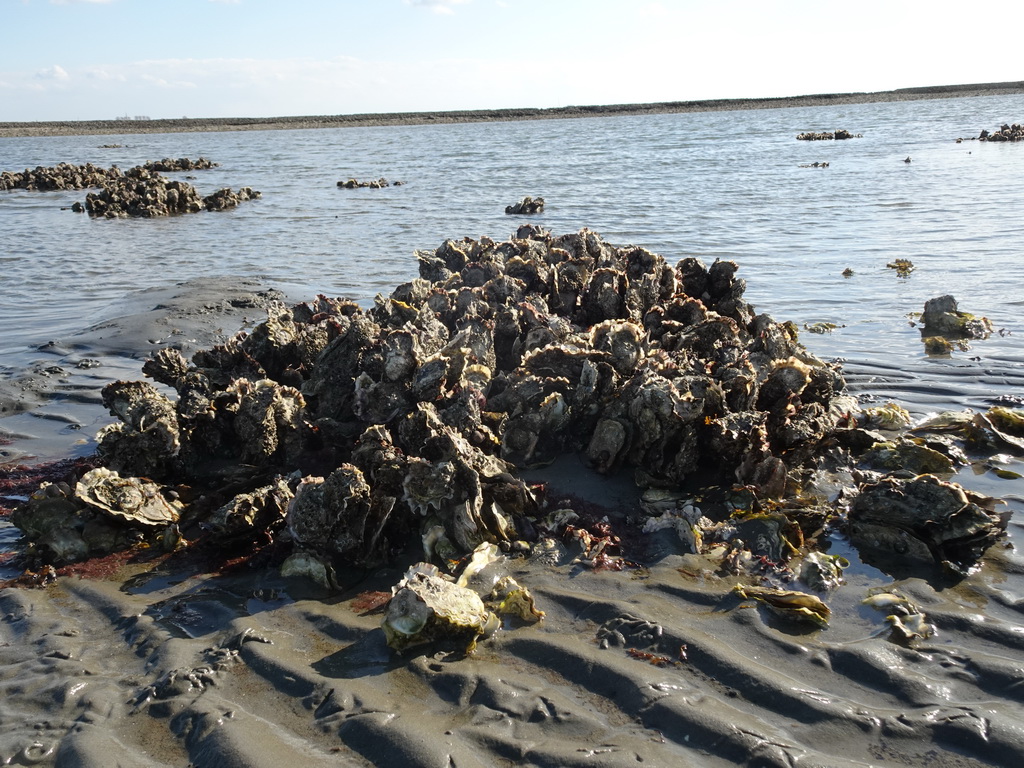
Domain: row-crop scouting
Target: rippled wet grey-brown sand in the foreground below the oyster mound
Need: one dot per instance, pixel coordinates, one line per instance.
(173, 667)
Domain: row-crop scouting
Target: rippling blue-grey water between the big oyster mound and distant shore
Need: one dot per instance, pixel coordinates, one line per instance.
(715, 186)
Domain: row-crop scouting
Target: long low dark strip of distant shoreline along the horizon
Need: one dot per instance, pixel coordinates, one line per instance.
(187, 125)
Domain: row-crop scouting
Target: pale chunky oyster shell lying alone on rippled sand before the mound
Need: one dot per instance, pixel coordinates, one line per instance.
(426, 609)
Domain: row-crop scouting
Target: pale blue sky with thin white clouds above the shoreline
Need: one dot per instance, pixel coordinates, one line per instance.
(100, 60)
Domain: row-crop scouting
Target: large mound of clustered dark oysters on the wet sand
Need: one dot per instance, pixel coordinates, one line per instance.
(351, 436)
